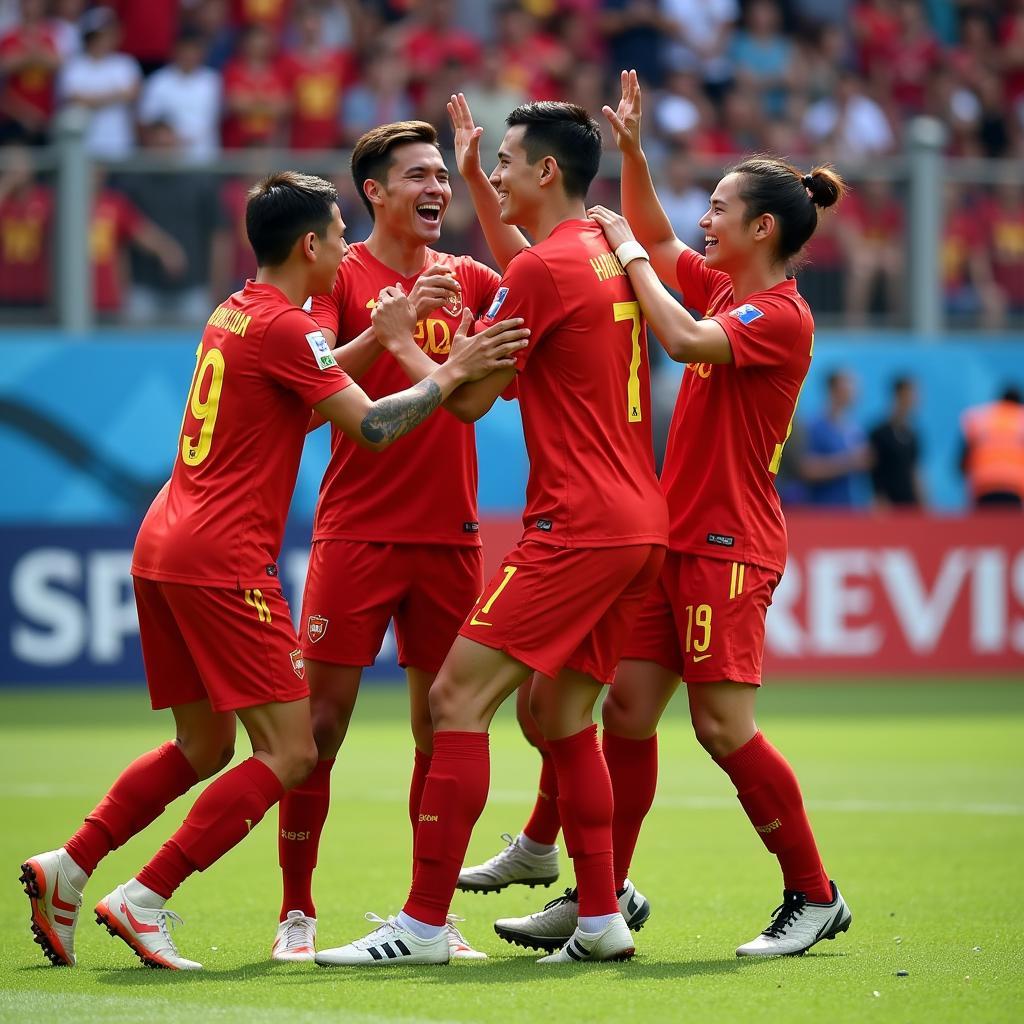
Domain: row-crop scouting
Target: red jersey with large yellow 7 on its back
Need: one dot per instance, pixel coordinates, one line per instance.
(584, 388)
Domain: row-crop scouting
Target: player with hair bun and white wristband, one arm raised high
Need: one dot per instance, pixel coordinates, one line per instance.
(728, 545)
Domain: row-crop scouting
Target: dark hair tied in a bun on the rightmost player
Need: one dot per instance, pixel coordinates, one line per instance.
(773, 186)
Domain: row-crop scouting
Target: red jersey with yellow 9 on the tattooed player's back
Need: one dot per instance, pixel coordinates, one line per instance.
(221, 520)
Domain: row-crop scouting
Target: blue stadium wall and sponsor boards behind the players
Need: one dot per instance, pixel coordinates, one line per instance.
(88, 435)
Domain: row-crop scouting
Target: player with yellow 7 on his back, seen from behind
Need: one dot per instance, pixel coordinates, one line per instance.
(564, 602)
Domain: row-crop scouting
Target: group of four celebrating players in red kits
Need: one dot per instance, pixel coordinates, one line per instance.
(620, 579)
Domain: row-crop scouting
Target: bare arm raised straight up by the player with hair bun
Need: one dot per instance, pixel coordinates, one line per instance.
(642, 206)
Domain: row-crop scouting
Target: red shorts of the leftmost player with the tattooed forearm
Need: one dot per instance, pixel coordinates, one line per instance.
(236, 649)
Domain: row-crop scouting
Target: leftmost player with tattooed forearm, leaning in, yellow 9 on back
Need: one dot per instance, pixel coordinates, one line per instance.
(218, 638)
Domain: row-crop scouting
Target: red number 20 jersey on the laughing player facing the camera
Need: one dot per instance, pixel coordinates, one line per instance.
(422, 490)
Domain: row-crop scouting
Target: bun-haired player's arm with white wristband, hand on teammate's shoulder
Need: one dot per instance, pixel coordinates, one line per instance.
(686, 339)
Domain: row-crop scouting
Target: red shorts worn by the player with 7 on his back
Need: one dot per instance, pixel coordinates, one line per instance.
(556, 609)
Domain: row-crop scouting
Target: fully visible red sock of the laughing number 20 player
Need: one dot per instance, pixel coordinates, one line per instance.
(302, 815)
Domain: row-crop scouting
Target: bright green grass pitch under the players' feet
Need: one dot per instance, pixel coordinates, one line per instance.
(916, 793)
